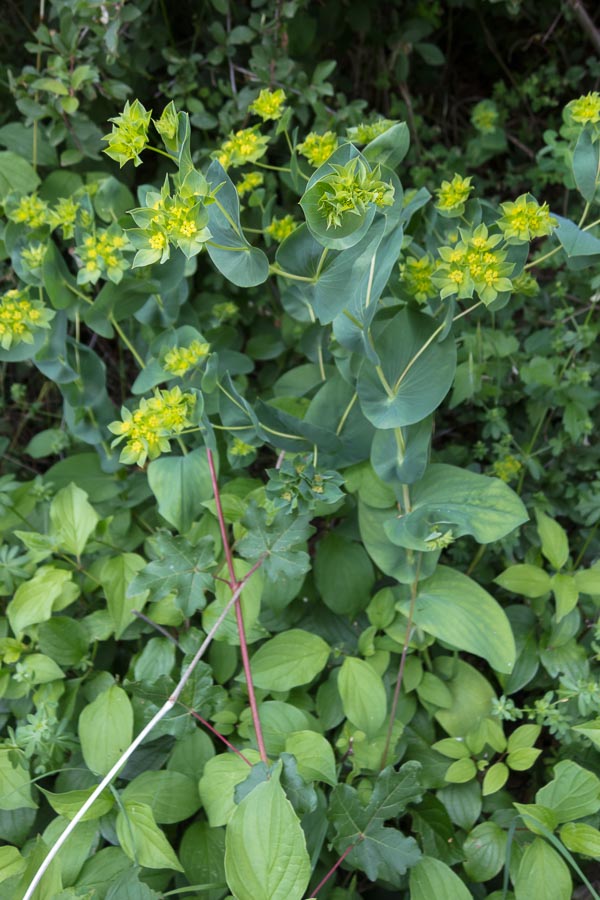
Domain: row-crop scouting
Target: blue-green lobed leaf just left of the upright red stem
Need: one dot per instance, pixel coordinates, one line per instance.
(180, 568)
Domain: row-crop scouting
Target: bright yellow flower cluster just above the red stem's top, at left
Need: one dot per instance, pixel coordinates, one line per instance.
(148, 429)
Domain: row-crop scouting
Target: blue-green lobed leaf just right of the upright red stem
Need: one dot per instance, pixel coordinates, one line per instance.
(275, 541)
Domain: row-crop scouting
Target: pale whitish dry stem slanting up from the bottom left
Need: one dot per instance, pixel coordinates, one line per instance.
(162, 712)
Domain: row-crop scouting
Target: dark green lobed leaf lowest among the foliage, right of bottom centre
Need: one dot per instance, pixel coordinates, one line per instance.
(380, 852)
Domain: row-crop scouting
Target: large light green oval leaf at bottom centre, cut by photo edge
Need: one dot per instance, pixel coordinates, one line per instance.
(265, 848)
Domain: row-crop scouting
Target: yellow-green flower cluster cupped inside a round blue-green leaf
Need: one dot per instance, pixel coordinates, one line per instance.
(350, 189)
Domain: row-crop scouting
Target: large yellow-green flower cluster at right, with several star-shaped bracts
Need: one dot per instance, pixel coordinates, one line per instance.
(474, 264)
